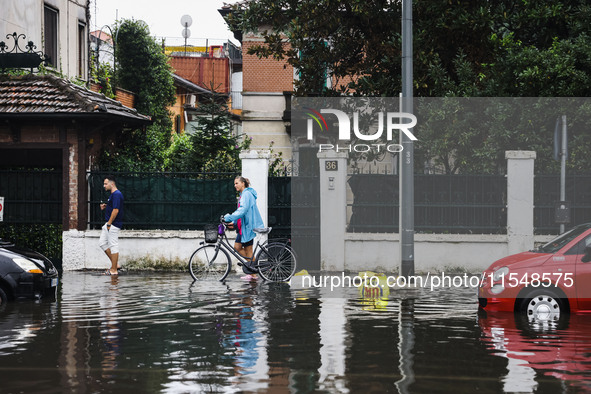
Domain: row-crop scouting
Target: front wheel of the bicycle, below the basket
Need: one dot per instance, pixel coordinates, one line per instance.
(207, 263)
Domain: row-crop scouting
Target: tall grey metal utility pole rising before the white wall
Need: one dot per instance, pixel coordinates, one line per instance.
(406, 189)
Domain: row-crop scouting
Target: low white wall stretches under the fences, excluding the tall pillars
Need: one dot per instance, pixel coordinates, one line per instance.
(363, 251)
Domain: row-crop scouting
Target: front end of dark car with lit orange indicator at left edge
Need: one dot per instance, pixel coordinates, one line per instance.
(25, 274)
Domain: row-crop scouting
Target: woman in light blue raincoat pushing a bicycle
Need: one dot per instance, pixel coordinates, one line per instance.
(246, 218)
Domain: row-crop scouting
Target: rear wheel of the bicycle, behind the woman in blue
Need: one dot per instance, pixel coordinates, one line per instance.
(276, 262)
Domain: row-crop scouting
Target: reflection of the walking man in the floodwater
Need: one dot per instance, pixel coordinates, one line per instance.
(110, 329)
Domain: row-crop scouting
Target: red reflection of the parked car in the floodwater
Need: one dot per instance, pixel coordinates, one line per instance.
(559, 349)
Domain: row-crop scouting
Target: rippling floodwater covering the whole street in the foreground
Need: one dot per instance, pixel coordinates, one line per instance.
(162, 333)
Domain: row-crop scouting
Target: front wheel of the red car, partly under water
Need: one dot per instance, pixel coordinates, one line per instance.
(543, 304)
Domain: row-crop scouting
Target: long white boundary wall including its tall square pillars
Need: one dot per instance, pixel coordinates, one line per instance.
(347, 251)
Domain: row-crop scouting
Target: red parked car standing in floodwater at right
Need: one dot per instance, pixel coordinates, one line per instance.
(546, 282)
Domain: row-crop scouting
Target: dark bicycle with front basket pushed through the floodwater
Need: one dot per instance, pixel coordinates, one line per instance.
(275, 261)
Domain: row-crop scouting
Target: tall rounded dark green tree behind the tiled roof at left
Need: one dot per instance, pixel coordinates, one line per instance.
(142, 68)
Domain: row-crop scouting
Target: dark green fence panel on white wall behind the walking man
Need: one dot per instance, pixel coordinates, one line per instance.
(165, 200)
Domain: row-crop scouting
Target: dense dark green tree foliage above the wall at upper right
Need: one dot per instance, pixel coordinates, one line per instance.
(462, 48)
